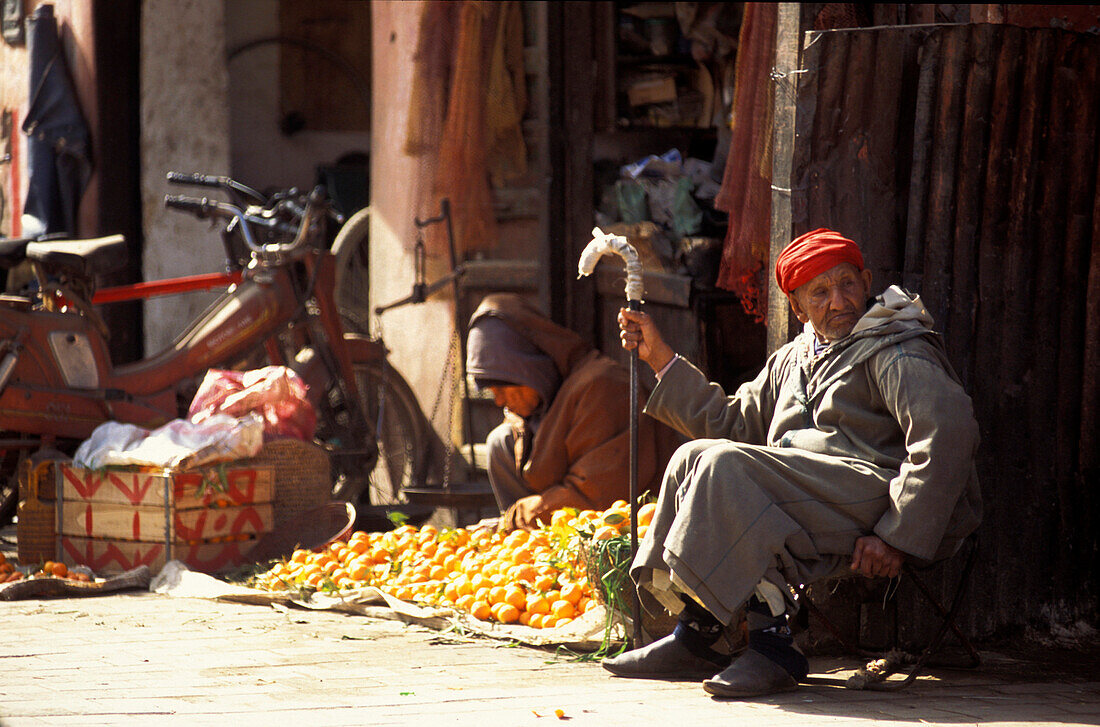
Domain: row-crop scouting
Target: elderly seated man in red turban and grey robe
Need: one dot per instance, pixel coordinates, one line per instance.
(854, 448)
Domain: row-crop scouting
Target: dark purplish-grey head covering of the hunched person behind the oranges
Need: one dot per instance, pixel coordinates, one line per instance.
(498, 355)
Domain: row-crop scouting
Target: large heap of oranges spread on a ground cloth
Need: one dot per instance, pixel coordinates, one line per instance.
(537, 578)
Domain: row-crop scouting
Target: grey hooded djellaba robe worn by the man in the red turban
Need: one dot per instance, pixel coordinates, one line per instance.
(873, 435)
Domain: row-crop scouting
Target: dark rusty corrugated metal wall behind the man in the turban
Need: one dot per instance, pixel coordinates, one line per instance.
(964, 160)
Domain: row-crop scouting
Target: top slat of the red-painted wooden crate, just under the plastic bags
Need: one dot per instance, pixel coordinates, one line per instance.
(186, 490)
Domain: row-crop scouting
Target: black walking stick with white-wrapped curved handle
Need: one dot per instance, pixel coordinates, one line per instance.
(601, 246)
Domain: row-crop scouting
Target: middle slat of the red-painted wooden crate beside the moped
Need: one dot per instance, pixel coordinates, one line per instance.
(111, 521)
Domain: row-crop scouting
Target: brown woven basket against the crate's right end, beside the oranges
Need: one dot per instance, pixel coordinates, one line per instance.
(303, 480)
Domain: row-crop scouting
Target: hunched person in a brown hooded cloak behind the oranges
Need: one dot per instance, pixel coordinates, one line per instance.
(565, 439)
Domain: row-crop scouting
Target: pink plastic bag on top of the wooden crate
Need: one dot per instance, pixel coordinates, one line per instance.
(276, 393)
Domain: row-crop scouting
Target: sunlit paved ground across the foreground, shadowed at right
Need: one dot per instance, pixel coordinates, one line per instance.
(139, 658)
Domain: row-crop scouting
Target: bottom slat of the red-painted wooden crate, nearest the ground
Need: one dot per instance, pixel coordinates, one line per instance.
(105, 556)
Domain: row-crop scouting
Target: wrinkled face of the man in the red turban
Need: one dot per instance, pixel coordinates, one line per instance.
(833, 302)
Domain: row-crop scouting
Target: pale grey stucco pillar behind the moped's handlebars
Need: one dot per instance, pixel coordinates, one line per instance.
(185, 127)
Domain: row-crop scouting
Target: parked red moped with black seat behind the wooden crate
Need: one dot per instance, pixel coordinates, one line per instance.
(58, 382)
